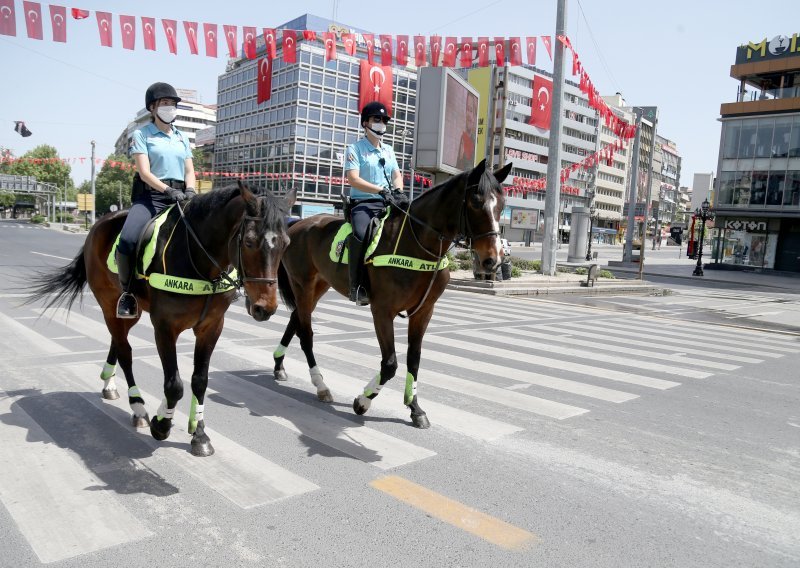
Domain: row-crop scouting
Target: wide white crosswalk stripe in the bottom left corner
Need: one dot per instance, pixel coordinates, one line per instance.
(49, 496)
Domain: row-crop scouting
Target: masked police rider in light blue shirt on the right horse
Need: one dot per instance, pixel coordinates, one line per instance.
(375, 179)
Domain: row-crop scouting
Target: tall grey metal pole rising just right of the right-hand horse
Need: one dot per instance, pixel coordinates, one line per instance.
(552, 196)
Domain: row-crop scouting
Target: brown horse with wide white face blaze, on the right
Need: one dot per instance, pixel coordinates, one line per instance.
(404, 272)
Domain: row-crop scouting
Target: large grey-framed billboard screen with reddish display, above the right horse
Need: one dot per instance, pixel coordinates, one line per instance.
(445, 139)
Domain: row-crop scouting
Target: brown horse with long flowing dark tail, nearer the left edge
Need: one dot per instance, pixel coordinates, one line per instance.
(201, 243)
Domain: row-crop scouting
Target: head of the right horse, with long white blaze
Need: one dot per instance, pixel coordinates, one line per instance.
(483, 203)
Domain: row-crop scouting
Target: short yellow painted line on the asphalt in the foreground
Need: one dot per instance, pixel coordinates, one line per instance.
(480, 524)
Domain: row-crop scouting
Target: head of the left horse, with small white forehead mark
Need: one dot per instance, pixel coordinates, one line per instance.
(262, 241)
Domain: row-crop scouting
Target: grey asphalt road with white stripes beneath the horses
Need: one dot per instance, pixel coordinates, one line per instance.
(562, 435)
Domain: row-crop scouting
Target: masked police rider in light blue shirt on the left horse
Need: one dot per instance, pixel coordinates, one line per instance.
(164, 175)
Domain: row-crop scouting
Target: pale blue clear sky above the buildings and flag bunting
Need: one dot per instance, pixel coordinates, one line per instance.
(675, 55)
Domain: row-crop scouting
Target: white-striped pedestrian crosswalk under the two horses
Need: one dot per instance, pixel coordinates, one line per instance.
(491, 369)
